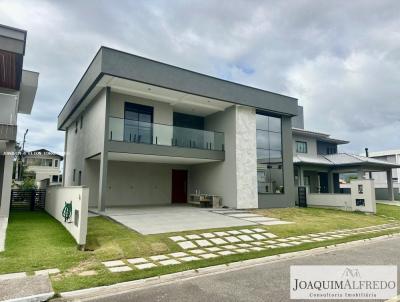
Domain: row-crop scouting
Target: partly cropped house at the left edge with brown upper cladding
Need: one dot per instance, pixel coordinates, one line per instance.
(17, 93)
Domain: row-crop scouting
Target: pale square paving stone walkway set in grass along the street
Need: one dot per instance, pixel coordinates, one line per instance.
(217, 244)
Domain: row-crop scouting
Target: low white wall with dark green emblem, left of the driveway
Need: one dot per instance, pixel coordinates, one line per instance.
(57, 196)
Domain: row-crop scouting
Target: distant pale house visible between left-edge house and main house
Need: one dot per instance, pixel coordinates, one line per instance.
(45, 165)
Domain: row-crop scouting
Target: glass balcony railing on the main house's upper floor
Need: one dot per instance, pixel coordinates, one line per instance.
(133, 131)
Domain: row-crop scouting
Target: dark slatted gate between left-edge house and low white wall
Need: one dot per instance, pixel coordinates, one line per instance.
(28, 199)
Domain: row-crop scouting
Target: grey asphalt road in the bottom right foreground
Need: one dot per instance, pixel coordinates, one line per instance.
(266, 282)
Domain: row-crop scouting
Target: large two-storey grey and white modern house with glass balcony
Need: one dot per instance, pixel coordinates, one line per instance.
(141, 132)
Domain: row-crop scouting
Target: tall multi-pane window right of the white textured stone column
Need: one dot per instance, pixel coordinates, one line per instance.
(269, 154)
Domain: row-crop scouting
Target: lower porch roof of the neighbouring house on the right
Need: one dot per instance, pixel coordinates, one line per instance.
(343, 160)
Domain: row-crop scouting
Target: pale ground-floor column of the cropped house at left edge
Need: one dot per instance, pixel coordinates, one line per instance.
(7, 181)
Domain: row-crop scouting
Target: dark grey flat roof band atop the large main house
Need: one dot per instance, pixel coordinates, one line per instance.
(118, 64)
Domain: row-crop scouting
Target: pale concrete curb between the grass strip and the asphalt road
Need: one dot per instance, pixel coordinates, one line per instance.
(127, 286)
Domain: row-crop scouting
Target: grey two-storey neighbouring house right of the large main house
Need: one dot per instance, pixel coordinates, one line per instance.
(318, 164)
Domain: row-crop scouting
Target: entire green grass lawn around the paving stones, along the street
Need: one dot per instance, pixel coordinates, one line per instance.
(36, 241)
